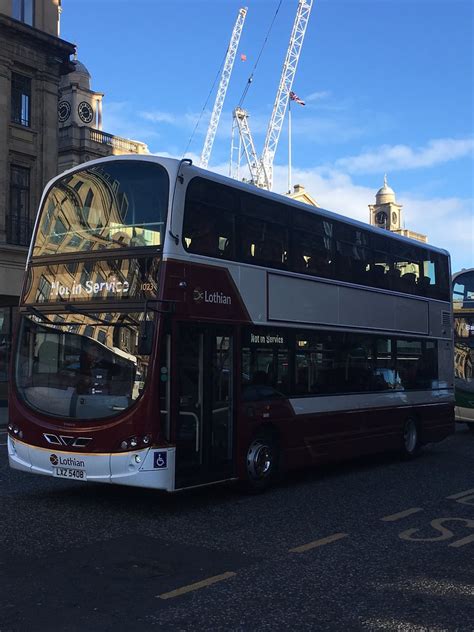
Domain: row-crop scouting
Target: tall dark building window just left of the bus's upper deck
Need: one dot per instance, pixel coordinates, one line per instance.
(18, 221)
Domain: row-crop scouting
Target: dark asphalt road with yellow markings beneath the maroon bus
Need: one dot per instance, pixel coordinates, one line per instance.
(376, 544)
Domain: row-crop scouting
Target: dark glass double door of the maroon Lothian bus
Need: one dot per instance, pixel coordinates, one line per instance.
(205, 412)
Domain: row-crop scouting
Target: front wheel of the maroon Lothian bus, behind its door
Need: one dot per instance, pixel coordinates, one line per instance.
(261, 464)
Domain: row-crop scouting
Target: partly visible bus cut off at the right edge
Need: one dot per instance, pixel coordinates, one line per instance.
(463, 311)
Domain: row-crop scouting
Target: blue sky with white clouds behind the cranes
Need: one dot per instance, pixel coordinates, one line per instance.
(388, 86)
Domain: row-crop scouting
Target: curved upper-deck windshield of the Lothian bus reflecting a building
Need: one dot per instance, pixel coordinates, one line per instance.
(120, 204)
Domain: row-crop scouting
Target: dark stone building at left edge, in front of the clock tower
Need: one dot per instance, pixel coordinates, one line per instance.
(32, 60)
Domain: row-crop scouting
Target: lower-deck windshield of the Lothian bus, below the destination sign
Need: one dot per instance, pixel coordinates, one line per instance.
(81, 365)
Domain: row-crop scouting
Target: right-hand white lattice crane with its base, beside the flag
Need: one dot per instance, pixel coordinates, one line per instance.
(261, 169)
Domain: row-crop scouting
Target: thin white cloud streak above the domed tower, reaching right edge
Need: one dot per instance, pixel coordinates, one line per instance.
(400, 157)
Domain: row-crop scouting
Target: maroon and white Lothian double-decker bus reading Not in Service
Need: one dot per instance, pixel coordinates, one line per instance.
(179, 328)
